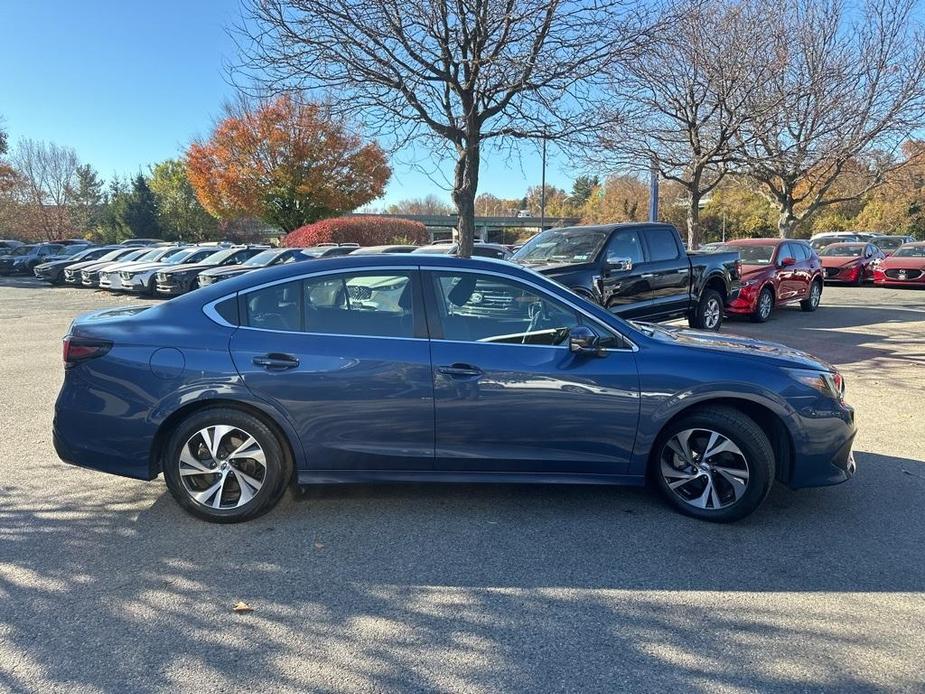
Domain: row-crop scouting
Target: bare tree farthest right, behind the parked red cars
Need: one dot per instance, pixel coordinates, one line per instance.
(849, 88)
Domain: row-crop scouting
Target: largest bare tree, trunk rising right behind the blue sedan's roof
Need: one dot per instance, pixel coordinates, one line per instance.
(449, 74)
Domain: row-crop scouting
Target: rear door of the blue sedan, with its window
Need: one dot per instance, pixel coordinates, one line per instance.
(346, 356)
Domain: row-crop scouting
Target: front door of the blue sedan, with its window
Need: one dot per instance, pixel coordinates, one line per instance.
(509, 396)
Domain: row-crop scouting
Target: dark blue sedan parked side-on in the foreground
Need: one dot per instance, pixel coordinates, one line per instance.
(412, 368)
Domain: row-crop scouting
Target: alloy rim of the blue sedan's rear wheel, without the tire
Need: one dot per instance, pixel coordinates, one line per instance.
(222, 467)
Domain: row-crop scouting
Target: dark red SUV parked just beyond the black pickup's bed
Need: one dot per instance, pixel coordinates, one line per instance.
(774, 272)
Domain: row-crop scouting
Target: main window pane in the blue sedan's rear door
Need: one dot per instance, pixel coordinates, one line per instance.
(366, 304)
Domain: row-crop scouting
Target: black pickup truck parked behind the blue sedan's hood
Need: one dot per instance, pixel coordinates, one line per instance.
(637, 270)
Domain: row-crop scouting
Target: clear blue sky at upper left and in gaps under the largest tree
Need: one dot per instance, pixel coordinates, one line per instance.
(129, 83)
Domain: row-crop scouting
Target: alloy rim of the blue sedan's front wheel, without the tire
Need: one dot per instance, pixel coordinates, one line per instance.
(704, 468)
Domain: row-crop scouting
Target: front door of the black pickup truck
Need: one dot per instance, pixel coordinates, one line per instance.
(623, 288)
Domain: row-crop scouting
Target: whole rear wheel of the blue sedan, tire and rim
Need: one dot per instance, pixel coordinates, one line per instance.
(243, 487)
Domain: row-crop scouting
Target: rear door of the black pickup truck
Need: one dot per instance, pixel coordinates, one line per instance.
(668, 271)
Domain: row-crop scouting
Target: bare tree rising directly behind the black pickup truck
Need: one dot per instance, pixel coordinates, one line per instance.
(683, 98)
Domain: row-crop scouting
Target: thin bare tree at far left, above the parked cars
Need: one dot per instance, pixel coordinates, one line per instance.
(46, 174)
